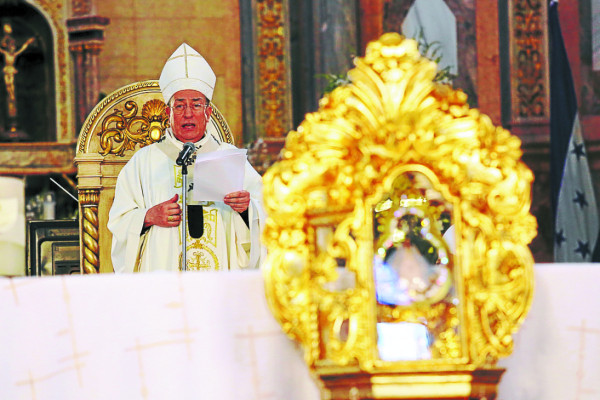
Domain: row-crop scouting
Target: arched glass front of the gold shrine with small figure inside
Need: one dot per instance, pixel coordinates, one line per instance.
(413, 266)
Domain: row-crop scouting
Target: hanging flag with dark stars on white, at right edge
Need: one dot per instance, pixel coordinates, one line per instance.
(576, 224)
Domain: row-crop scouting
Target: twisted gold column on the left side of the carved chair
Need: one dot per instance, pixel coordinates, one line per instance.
(88, 200)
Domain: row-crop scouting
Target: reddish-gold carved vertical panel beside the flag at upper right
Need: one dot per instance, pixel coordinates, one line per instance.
(528, 59)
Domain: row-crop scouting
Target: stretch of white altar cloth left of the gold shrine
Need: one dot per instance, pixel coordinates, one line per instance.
(145, 336)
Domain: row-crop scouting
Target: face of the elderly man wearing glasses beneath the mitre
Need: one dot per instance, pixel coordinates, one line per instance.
(189, 113)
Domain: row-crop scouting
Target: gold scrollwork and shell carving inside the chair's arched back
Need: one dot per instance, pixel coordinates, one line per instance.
(118, 130)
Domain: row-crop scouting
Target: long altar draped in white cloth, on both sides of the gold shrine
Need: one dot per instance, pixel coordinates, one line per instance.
(211, 336)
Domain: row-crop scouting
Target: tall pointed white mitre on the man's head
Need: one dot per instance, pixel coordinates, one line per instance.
(186, 69)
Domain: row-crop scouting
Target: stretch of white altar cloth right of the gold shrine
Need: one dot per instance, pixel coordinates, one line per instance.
(557, 351)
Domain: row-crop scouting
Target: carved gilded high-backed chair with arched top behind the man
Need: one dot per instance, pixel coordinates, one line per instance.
(126, 120)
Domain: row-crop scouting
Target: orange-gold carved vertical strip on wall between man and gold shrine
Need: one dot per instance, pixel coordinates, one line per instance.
(273, 106)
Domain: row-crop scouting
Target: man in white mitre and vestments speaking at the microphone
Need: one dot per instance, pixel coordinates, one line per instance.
(145, 218)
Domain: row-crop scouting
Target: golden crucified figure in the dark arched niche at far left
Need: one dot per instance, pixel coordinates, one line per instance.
(8, 48)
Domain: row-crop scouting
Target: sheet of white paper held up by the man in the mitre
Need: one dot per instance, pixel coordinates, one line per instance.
(218, 173)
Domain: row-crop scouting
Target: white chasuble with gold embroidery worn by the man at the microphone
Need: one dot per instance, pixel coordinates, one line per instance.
(152, 177)
